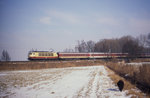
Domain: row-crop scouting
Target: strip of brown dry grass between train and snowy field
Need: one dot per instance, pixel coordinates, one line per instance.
(47, 64)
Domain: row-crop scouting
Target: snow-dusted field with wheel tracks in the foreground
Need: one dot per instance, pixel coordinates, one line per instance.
(73, 82)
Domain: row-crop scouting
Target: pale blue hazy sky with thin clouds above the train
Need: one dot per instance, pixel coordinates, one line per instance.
(58, 24)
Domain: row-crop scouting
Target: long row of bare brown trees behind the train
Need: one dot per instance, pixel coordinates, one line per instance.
(125, 44)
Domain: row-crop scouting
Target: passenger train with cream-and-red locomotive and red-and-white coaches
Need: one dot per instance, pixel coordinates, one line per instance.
(46, 55)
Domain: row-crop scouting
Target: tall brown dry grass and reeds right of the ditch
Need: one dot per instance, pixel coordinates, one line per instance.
(137, 75)
